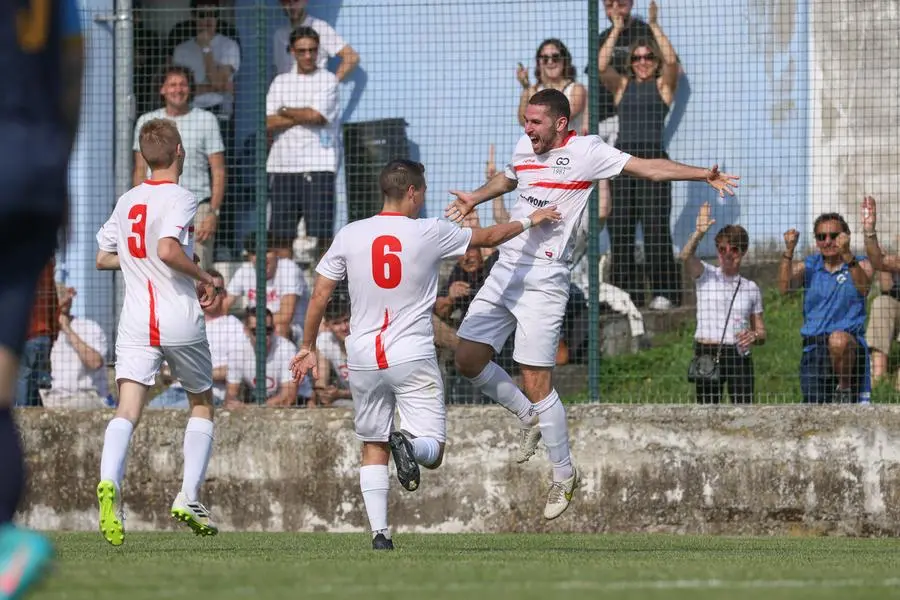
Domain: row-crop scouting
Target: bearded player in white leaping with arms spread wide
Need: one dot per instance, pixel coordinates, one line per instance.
(528, 287)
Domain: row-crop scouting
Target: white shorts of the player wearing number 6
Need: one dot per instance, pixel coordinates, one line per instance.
(414, 388)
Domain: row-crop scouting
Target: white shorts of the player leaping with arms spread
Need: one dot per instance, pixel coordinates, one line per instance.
(530, 299)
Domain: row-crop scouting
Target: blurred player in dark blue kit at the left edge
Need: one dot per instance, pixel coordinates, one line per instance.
(41, 58)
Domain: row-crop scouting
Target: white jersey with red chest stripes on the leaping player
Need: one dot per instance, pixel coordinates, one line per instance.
(563, 177)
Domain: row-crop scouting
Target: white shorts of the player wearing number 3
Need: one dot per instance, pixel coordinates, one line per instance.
(191, 365)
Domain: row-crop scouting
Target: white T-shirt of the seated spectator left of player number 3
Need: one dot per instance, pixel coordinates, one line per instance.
(68, 372)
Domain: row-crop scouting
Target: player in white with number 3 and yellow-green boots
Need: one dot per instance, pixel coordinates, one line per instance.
(150, 238)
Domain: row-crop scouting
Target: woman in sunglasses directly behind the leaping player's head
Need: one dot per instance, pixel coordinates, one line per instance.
(553, 69)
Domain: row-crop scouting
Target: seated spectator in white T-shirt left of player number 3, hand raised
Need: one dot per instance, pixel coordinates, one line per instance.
(77, 362)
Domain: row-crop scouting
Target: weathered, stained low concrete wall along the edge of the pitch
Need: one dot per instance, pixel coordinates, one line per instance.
(756, 470)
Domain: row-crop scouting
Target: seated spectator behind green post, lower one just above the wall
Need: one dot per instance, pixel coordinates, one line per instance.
(281, 390)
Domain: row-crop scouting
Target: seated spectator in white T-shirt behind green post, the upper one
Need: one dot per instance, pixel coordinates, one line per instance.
(287, 294)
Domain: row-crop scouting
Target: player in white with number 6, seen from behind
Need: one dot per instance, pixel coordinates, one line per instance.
(391, 262)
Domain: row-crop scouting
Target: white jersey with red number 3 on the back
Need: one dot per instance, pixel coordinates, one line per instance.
(161, 306)
